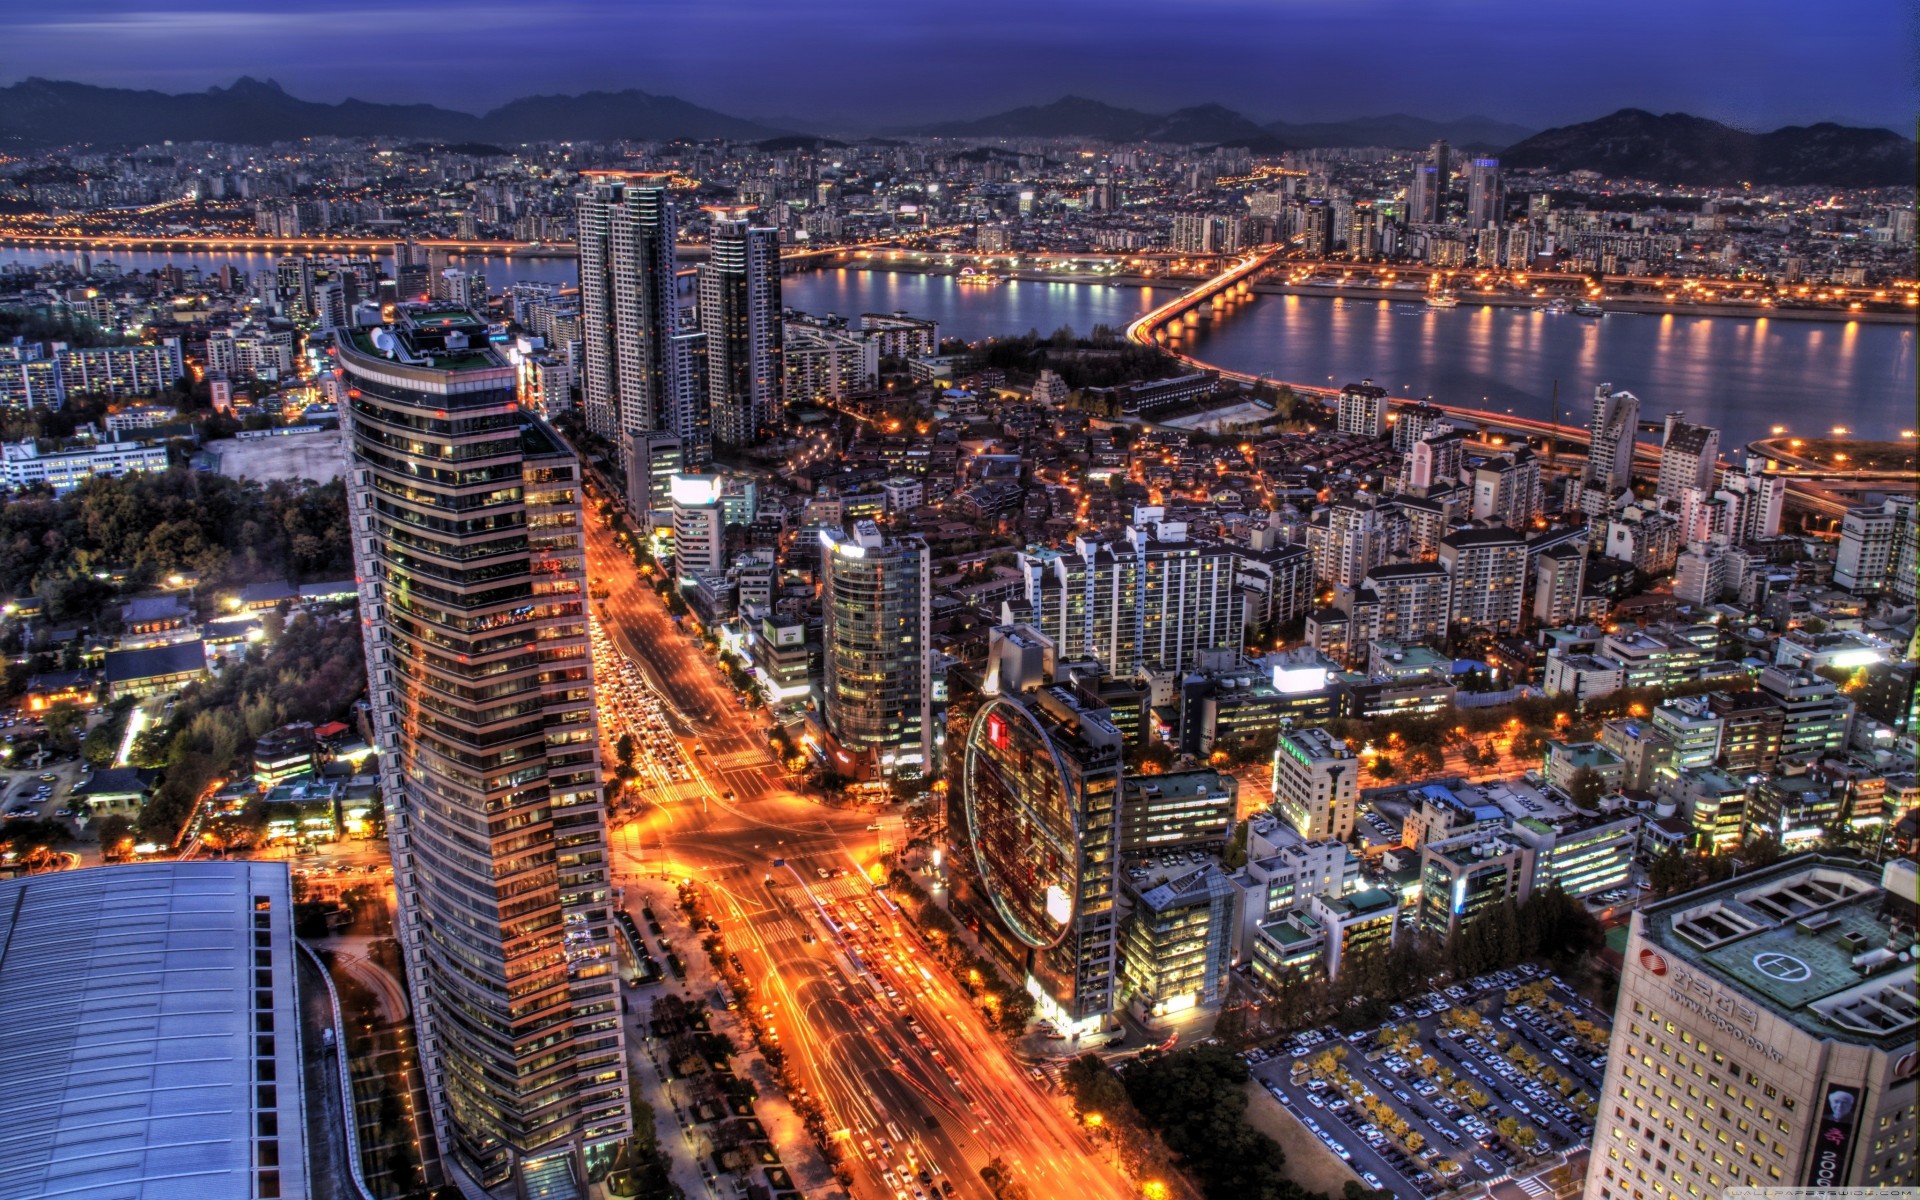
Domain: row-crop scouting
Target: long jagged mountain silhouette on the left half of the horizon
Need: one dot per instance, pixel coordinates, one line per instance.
(45, 112)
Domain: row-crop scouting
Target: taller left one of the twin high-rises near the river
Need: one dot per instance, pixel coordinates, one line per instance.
(640, 370)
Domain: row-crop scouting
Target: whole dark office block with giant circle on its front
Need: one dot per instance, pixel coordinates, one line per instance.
(1042, 804)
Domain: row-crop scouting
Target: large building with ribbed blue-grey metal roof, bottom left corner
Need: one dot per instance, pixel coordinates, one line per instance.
(153, 1022)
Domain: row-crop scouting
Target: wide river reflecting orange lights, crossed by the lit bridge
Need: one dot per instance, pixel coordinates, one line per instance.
(1739, 373)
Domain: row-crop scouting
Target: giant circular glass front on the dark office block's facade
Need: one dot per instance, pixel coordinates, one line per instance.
(1024, 823)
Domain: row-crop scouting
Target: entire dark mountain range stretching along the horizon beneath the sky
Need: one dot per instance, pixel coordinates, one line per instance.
(1671, 149)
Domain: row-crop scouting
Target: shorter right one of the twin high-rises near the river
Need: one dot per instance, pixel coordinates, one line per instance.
(740, 316)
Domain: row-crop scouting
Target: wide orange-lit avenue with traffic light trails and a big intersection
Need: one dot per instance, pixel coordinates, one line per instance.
(911, 1080)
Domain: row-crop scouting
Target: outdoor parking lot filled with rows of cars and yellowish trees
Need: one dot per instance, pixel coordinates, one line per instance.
(1466, 1086)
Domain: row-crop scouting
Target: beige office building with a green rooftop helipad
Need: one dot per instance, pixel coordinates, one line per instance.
(1764, 1038)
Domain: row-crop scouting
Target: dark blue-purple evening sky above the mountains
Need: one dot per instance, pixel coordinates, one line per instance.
(882, 62)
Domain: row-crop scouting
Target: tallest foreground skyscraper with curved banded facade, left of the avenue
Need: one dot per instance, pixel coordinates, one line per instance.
(468, 523)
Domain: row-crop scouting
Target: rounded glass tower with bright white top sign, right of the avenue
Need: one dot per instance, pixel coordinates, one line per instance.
(878, 679)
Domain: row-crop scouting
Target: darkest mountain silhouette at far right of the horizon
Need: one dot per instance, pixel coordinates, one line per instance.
(1694, 151)
